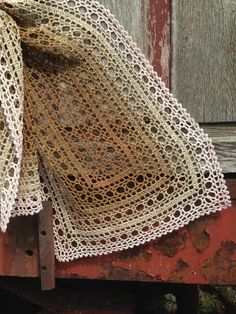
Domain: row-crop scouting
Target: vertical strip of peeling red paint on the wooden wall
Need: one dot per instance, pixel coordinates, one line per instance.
(159, 37)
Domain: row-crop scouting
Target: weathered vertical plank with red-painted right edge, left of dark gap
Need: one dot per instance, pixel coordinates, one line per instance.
(148, 22)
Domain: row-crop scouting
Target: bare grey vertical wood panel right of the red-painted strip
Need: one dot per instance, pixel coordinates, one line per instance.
(203, 37)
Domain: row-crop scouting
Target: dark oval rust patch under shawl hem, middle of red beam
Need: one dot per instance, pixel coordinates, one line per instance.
(172, 243)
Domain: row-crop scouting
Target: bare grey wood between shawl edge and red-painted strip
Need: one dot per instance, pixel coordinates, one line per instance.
(132, 15)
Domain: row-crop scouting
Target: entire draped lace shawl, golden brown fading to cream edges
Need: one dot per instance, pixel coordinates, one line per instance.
(86, 122)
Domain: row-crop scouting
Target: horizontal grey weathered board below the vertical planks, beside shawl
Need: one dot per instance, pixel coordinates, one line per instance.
(224, 140)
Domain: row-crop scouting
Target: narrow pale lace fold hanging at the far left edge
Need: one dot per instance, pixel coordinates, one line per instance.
(11, 115)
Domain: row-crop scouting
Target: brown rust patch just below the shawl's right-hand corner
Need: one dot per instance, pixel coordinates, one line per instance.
(198, 234)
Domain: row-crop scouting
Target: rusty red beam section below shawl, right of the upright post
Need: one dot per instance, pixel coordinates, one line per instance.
(187, 256)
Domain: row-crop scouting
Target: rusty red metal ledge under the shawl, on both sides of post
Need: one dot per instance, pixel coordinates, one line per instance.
(202, 252)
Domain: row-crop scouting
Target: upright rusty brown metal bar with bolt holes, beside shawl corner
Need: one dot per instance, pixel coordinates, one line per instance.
(46, 247)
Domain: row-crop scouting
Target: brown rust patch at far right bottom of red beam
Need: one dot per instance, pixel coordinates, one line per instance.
(221, 269)
